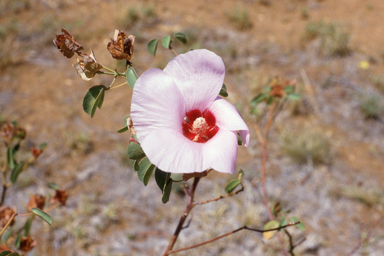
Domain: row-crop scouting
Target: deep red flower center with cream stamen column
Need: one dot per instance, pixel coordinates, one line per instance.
(199, 127)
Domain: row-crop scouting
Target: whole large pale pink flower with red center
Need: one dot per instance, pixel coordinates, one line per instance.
(181, 123)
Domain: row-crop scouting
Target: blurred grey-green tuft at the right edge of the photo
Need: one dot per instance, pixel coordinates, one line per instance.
(370, 105)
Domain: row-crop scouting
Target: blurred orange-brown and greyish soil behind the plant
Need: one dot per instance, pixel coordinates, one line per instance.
(326, 151)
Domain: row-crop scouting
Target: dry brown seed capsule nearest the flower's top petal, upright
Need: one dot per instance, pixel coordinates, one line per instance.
(121, 46)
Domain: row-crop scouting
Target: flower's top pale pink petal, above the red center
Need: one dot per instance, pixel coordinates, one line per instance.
(199, 74)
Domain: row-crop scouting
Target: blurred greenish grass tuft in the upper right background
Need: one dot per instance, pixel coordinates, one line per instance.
(334, 41)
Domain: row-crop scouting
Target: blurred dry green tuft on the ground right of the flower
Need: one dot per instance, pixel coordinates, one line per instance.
(305, 147)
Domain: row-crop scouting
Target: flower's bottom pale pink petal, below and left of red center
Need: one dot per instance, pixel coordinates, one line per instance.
(172, 152)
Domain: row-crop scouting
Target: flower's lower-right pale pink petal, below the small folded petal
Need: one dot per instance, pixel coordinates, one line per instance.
(220, 152)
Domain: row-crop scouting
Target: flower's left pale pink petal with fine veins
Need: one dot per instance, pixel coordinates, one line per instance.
(157, 104)
